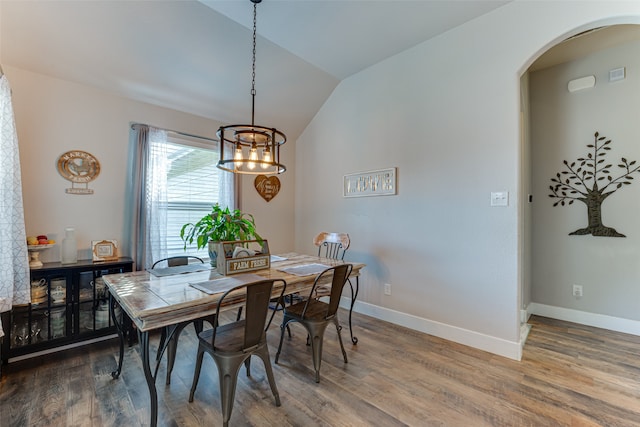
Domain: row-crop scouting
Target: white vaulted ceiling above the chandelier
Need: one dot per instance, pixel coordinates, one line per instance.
(195, 56)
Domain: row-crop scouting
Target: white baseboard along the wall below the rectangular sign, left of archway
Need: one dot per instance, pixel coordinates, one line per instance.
(498, 346)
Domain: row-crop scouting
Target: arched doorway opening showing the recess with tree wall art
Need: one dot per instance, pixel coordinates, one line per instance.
(558, 125)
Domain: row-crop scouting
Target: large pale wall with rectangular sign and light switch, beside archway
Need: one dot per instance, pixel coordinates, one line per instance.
(446, 114)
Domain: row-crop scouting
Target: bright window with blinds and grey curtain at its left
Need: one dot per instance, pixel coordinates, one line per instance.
(173, 181)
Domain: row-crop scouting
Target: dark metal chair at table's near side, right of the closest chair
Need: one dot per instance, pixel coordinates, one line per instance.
(315, 315)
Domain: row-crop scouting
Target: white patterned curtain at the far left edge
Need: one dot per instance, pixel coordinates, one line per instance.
(14, 259)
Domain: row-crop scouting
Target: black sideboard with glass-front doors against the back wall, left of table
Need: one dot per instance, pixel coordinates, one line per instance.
(69, 305)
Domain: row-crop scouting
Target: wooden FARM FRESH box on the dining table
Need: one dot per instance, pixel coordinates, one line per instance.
(242, 256)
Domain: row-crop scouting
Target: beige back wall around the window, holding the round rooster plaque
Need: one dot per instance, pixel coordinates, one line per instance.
(54, 116)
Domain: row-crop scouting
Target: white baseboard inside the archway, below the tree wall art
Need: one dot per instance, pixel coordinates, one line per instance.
(617, 324)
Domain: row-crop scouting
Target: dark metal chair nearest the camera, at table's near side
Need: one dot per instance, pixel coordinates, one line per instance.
(232, 344)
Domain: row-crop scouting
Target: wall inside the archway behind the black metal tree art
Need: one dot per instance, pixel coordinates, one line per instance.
(563, 123)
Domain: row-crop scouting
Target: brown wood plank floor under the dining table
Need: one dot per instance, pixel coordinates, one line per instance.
(570, 375)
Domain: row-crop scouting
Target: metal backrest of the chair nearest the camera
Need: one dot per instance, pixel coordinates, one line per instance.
(257, 298)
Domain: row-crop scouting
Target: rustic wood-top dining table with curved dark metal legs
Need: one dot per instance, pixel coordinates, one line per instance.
(170, 298)
